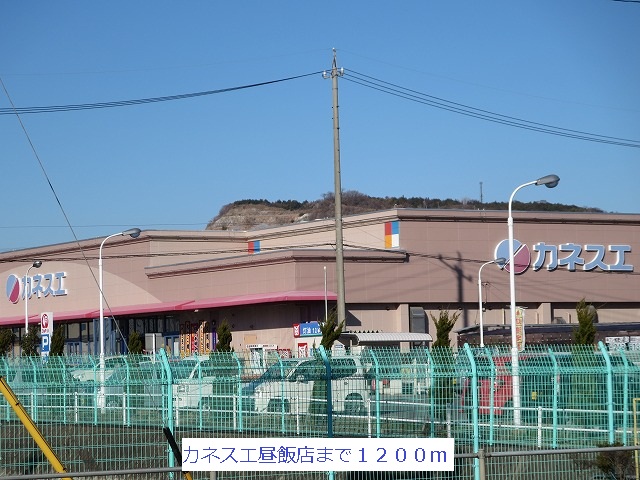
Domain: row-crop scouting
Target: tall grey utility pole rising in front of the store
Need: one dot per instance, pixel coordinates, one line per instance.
(335, 73)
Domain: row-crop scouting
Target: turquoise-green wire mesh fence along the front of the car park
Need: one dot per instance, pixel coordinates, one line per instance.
(110, 415)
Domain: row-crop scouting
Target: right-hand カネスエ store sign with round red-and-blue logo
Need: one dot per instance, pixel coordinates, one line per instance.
(611, 258)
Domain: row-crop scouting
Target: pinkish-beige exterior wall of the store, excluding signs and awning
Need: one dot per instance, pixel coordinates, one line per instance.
(435, 266)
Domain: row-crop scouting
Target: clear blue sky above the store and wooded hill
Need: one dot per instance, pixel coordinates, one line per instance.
(173, 165)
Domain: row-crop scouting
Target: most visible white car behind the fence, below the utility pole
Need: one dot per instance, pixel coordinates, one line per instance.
(295, 392)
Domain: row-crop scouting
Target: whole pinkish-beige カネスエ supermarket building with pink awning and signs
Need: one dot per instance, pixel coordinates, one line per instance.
(401, 266)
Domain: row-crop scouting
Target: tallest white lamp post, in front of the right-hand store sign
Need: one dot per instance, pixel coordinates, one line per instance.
(550, 181)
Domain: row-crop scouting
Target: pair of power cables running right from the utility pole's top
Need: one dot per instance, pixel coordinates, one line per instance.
(467, 110)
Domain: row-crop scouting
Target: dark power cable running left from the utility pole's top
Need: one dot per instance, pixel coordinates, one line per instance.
(141, 101)
